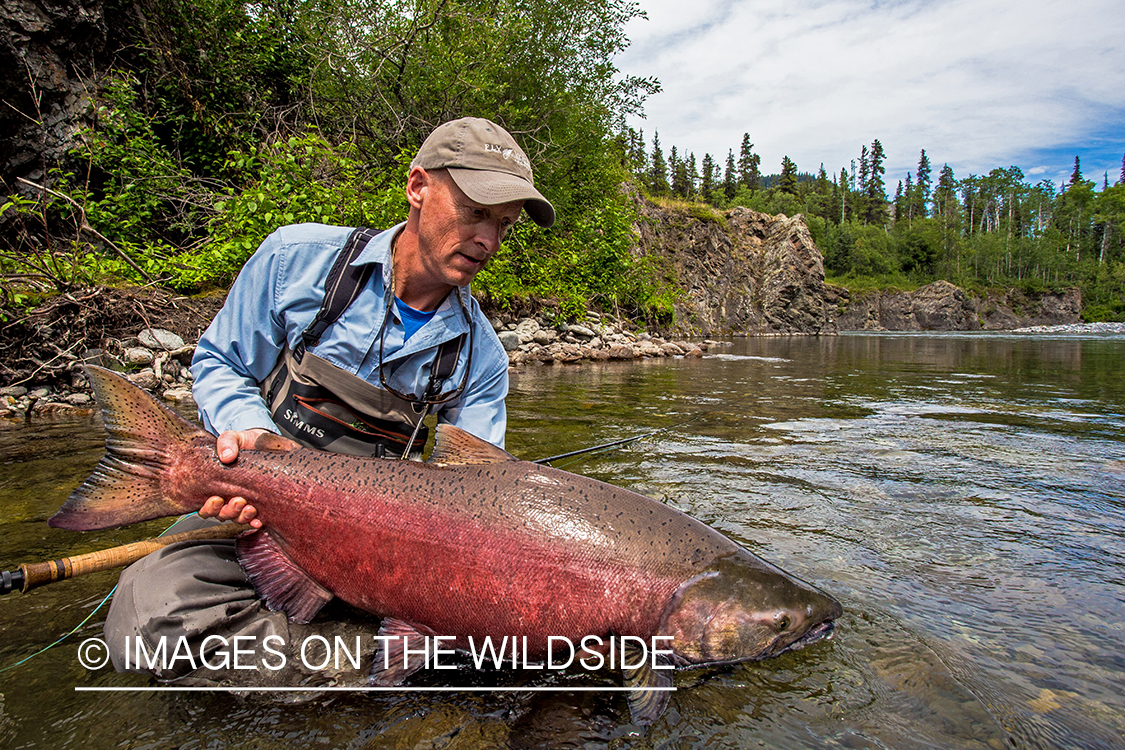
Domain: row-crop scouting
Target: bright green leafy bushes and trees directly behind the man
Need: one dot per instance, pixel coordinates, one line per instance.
(200, 146)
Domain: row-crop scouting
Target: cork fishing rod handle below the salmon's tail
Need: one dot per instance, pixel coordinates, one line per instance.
(29, 576)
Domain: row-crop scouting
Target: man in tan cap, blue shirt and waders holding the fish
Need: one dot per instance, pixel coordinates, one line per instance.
(353, 372)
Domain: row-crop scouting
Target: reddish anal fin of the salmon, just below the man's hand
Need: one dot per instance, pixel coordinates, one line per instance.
(282, 583)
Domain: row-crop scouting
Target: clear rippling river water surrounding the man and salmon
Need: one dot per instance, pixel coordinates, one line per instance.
(962, 495)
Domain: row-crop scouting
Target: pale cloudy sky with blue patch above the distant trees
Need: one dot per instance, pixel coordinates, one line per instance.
(978, 84)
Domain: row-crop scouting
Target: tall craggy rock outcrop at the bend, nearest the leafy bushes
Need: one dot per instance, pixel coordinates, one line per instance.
(742, 273)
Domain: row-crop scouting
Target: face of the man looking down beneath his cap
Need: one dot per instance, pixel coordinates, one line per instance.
(457, 236)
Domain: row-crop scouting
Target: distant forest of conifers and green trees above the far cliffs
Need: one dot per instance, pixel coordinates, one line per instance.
(996, 230)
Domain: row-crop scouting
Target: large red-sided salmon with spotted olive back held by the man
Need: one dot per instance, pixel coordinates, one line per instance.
(473, 544)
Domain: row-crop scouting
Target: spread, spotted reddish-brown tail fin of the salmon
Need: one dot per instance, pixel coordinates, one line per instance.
(127, 485)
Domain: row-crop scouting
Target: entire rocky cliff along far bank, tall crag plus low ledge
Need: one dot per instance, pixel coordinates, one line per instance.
(748, 274)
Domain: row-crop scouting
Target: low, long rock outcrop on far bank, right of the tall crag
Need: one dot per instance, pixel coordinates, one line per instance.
(942, 306)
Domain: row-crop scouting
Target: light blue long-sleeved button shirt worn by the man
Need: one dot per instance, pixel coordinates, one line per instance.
(278, 294)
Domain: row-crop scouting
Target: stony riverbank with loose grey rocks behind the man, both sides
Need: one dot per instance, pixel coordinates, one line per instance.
(42, 355)
